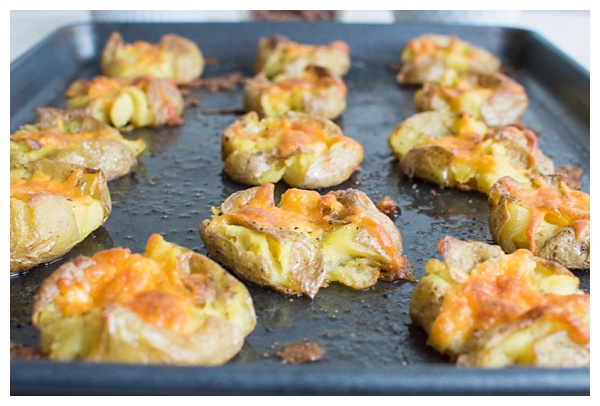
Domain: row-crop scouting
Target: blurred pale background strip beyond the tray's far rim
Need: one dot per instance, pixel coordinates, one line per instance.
(569, 30)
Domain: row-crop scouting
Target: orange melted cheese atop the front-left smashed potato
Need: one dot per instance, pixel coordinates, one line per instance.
(155, 291)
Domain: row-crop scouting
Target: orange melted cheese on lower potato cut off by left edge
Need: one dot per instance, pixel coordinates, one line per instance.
(24, 189)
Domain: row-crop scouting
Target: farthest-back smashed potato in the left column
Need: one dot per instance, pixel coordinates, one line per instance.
(173, 57)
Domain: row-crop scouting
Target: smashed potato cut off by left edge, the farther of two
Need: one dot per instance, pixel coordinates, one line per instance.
(73, 137)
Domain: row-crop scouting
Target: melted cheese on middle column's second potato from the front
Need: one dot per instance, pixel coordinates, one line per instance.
(292, 135)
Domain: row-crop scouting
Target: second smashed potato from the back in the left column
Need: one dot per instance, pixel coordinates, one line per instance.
(122, 102)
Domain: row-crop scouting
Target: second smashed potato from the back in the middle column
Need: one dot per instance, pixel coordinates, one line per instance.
(315, 91)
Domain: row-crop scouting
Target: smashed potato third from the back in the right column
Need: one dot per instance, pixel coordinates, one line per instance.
(459, 151)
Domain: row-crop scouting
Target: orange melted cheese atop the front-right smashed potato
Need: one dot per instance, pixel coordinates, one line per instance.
(502, 292)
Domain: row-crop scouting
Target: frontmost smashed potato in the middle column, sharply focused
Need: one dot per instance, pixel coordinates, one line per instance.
(305, 242)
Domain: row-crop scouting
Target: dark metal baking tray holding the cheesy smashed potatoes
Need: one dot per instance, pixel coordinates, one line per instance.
(370, 345)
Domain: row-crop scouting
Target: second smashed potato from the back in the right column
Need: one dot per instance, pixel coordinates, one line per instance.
(492, 97)
